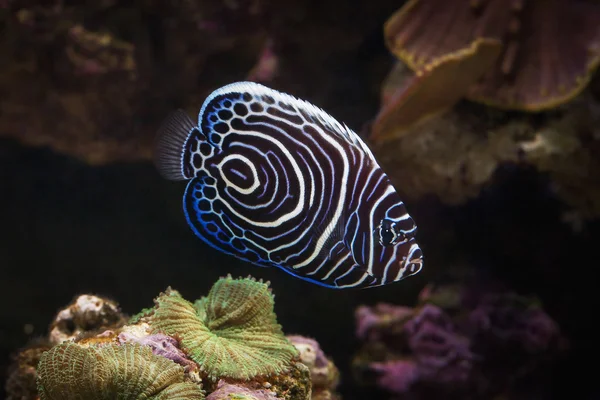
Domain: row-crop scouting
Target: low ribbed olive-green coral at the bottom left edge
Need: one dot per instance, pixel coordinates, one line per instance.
(127, 372)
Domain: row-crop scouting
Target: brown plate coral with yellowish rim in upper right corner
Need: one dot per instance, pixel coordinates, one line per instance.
(523, 73)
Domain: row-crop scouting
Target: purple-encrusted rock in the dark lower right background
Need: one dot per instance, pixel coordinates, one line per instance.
(457, 340)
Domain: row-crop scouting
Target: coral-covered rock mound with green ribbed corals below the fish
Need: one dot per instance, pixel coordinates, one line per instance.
(174, 350)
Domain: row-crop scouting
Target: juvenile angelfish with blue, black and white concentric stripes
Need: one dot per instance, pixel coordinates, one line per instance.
(276, 181)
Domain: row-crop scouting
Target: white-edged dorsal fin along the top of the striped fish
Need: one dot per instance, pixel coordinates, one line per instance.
(254, 99)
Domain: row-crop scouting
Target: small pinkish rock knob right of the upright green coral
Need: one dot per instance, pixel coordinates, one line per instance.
(323, 373)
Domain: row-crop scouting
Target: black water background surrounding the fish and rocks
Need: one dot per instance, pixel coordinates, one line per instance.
(68, 228)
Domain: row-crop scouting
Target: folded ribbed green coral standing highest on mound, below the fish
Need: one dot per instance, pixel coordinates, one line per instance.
(232, 333)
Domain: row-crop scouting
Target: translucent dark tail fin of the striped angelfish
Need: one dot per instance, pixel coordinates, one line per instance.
(169, 145)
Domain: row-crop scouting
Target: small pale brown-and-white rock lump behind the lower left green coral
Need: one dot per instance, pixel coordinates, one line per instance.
(86, 313)
